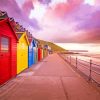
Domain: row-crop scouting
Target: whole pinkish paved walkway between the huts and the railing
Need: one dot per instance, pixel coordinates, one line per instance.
(51, 79)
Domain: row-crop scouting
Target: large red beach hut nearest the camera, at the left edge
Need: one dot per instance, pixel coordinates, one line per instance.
(8, 50)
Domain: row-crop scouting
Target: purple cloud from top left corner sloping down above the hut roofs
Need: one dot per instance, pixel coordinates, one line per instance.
(13, 10)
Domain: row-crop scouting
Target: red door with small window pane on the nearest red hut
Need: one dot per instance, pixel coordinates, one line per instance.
(5, 67)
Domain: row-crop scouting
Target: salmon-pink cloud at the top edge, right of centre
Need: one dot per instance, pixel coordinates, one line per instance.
(62, 9)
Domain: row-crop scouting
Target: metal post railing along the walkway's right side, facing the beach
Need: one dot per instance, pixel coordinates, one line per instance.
(90, 69)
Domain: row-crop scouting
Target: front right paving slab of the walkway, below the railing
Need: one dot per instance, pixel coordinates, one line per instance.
(78, 89)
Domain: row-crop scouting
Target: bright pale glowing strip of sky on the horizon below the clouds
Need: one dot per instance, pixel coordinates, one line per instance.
(90, 47)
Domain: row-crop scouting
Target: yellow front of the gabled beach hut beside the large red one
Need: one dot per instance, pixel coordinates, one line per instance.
(22, 54)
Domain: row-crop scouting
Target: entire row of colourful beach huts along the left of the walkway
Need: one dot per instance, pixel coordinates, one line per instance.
(19, 50)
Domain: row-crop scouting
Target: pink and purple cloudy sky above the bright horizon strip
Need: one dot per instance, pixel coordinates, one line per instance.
(58, 21)
